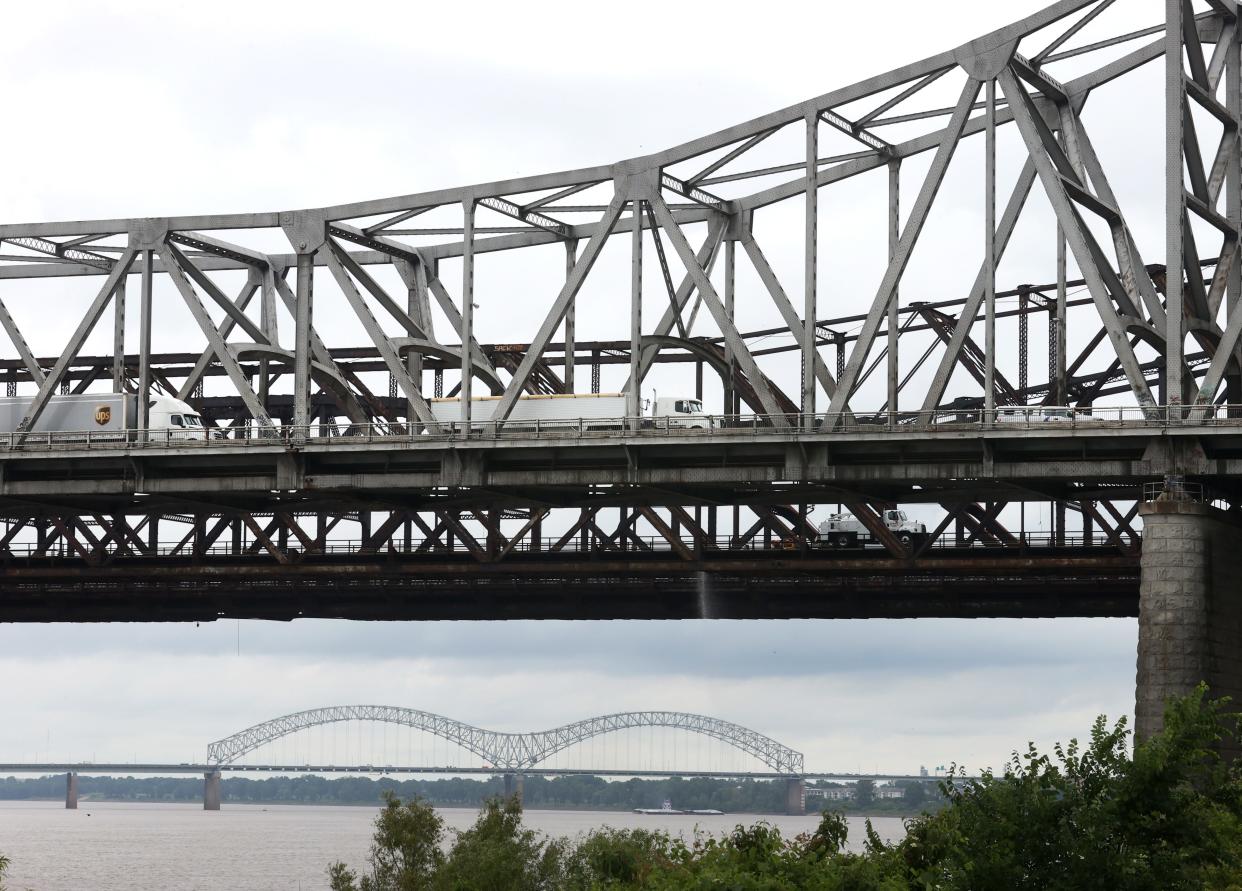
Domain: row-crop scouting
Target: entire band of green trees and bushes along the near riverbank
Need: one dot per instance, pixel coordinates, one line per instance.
(1084, 817)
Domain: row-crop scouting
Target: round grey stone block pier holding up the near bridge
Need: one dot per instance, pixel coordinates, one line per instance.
(1190, 610)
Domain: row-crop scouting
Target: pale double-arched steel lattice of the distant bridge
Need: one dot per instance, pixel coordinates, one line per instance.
(510, 751)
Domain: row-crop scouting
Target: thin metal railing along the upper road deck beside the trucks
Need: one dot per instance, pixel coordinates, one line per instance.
(995, 422)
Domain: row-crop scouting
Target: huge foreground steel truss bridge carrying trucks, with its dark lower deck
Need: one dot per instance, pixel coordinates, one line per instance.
(333, 490)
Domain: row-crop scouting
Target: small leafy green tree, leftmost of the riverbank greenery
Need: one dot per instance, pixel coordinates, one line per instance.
(407, 851)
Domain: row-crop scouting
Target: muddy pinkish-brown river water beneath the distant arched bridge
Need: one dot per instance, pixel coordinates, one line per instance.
(254, 848)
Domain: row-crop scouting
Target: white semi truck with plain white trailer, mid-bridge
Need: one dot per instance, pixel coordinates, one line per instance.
(576, 411)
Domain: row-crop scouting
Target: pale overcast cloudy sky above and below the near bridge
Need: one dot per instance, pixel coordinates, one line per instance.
(143, 109)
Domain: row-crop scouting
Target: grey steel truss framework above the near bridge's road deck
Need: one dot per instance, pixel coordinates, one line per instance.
(655, 199)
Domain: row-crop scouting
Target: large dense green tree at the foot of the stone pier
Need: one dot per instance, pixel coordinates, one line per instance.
(1171, 817)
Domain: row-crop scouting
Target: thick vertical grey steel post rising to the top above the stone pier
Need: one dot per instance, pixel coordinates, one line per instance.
(1176, 207)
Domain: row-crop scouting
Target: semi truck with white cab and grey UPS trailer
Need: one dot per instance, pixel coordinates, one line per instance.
(104, 417)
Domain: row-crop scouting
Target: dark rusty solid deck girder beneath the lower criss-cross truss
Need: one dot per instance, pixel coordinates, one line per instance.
(762, 583)
